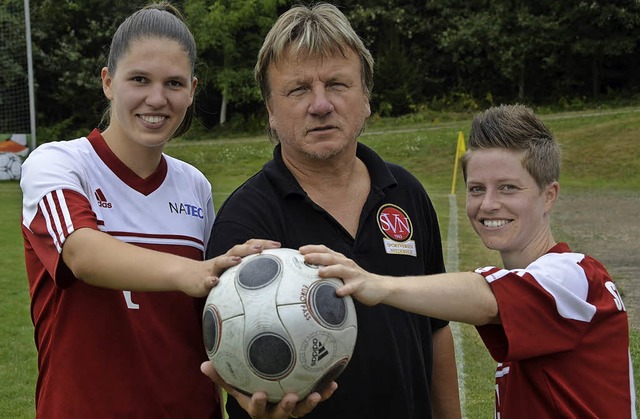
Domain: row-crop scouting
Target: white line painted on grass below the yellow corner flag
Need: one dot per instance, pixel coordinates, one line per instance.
(452, 265)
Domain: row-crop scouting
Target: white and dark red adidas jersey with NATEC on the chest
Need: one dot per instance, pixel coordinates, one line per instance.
(105, 353)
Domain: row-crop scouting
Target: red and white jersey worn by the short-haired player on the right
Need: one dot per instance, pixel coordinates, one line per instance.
(563, 345)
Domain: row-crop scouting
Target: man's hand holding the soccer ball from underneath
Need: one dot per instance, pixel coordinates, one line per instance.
(257, 406)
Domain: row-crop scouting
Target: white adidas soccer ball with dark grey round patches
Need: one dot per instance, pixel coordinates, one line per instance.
(273, 325)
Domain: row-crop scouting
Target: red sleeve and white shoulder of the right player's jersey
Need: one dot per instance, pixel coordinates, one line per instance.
(557, 296)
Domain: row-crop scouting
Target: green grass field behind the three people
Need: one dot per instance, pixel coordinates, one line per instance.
(600, 155)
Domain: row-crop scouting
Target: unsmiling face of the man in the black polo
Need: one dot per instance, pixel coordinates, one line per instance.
(318, 105)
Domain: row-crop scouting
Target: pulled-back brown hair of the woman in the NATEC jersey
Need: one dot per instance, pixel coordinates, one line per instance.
(156, 20)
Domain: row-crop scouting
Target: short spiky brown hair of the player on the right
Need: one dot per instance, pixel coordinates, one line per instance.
(517, 128)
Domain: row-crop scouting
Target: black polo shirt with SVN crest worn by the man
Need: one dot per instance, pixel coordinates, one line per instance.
(389, 375)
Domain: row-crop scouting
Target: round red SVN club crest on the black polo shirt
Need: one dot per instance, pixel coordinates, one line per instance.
(397, 229)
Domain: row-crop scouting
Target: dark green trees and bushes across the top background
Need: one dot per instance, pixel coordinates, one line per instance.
(545, 53)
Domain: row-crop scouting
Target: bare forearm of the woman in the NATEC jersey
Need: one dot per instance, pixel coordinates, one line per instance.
(101, 260)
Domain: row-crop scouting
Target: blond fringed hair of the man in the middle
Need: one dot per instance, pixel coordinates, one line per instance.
(308, 31)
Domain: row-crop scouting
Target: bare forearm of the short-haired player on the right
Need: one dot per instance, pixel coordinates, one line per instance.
(463, 296)
